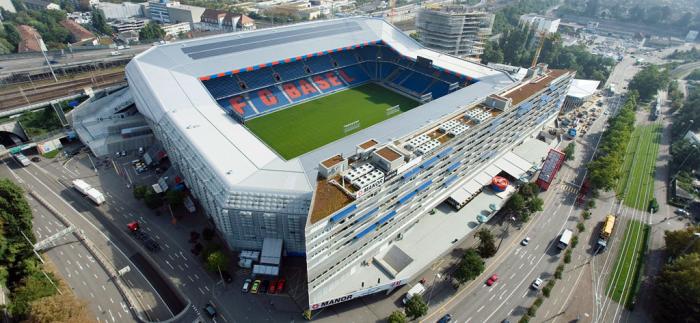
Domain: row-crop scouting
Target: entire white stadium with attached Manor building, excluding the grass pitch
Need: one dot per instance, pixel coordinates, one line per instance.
(346, 205)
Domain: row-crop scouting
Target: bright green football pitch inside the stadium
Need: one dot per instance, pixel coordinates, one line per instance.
(299, 129)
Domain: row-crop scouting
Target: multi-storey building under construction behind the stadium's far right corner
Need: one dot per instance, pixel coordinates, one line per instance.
(454, 29)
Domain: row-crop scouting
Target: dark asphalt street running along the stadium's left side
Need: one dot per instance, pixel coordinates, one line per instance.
(175, 261)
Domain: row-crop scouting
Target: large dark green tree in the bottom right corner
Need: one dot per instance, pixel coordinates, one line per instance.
(678, 290)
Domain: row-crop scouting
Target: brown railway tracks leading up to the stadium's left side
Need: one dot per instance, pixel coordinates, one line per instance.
(18, 97)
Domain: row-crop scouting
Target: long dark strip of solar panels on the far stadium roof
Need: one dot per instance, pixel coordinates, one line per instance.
(236, 45)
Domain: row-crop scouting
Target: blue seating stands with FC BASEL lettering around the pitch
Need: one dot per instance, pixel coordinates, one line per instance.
(280, 84)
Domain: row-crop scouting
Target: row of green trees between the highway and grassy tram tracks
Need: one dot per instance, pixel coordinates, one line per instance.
(605, 169)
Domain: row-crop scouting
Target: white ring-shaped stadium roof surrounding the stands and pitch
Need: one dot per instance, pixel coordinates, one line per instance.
(168, 81)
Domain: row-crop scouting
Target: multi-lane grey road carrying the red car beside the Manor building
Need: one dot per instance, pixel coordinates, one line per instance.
(517, 266)
